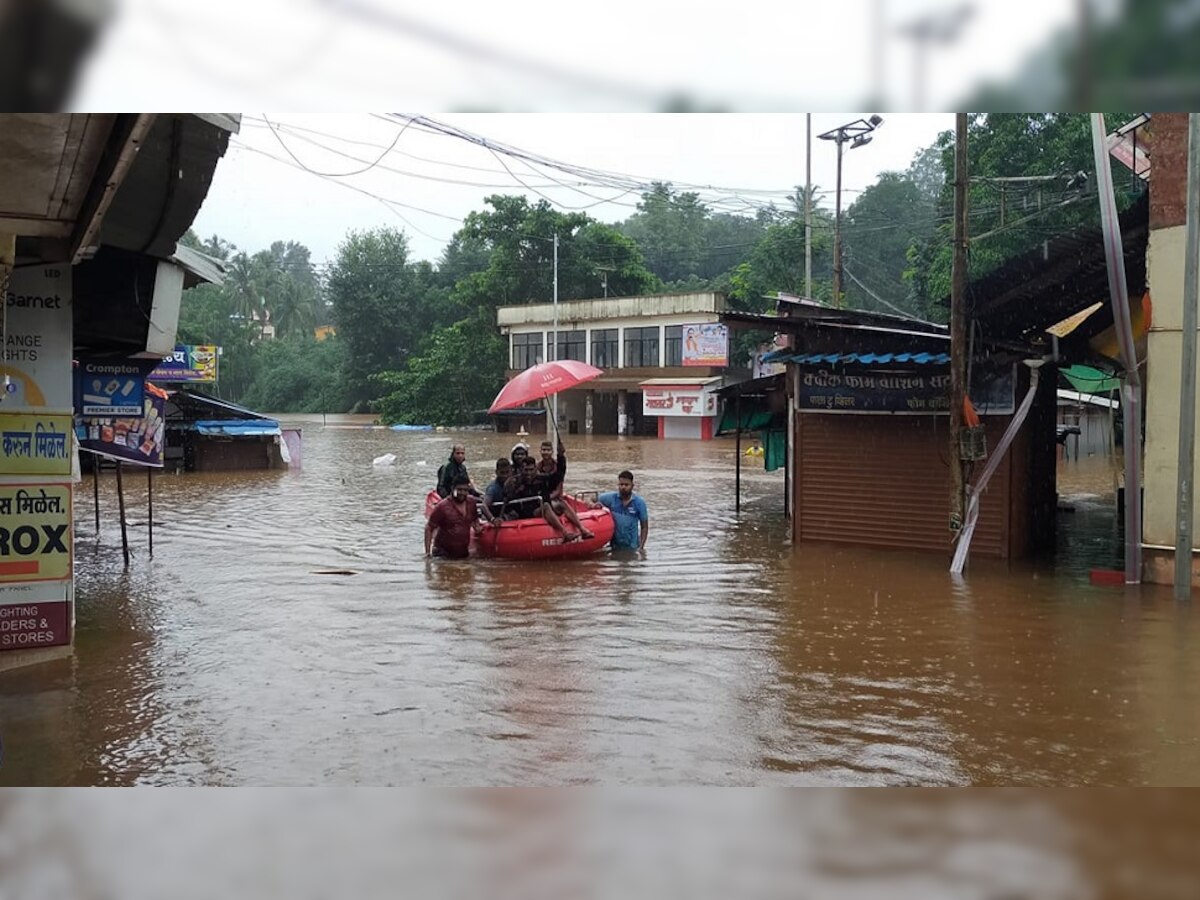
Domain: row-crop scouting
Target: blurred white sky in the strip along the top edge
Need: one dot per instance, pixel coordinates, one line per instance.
(548, 56)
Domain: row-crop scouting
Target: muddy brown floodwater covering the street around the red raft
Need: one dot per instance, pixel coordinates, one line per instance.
(723, 657)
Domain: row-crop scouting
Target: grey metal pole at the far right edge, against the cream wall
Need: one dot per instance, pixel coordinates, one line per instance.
(1185, 501)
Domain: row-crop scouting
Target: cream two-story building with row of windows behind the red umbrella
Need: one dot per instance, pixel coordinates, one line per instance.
(664, 358)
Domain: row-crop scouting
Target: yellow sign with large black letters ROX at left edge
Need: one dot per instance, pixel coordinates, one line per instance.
(35, 532)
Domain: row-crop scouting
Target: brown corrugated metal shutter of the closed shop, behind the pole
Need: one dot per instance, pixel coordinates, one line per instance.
(883, 481)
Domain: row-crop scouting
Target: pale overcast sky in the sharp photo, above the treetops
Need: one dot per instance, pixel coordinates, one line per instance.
(266, 188)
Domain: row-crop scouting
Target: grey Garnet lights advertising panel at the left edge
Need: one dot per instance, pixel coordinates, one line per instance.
(38, 340)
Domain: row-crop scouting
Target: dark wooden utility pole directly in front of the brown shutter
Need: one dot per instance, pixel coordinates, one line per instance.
(958, 320)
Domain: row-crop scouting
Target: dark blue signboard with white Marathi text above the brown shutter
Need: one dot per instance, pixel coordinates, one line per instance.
(915, 394)
